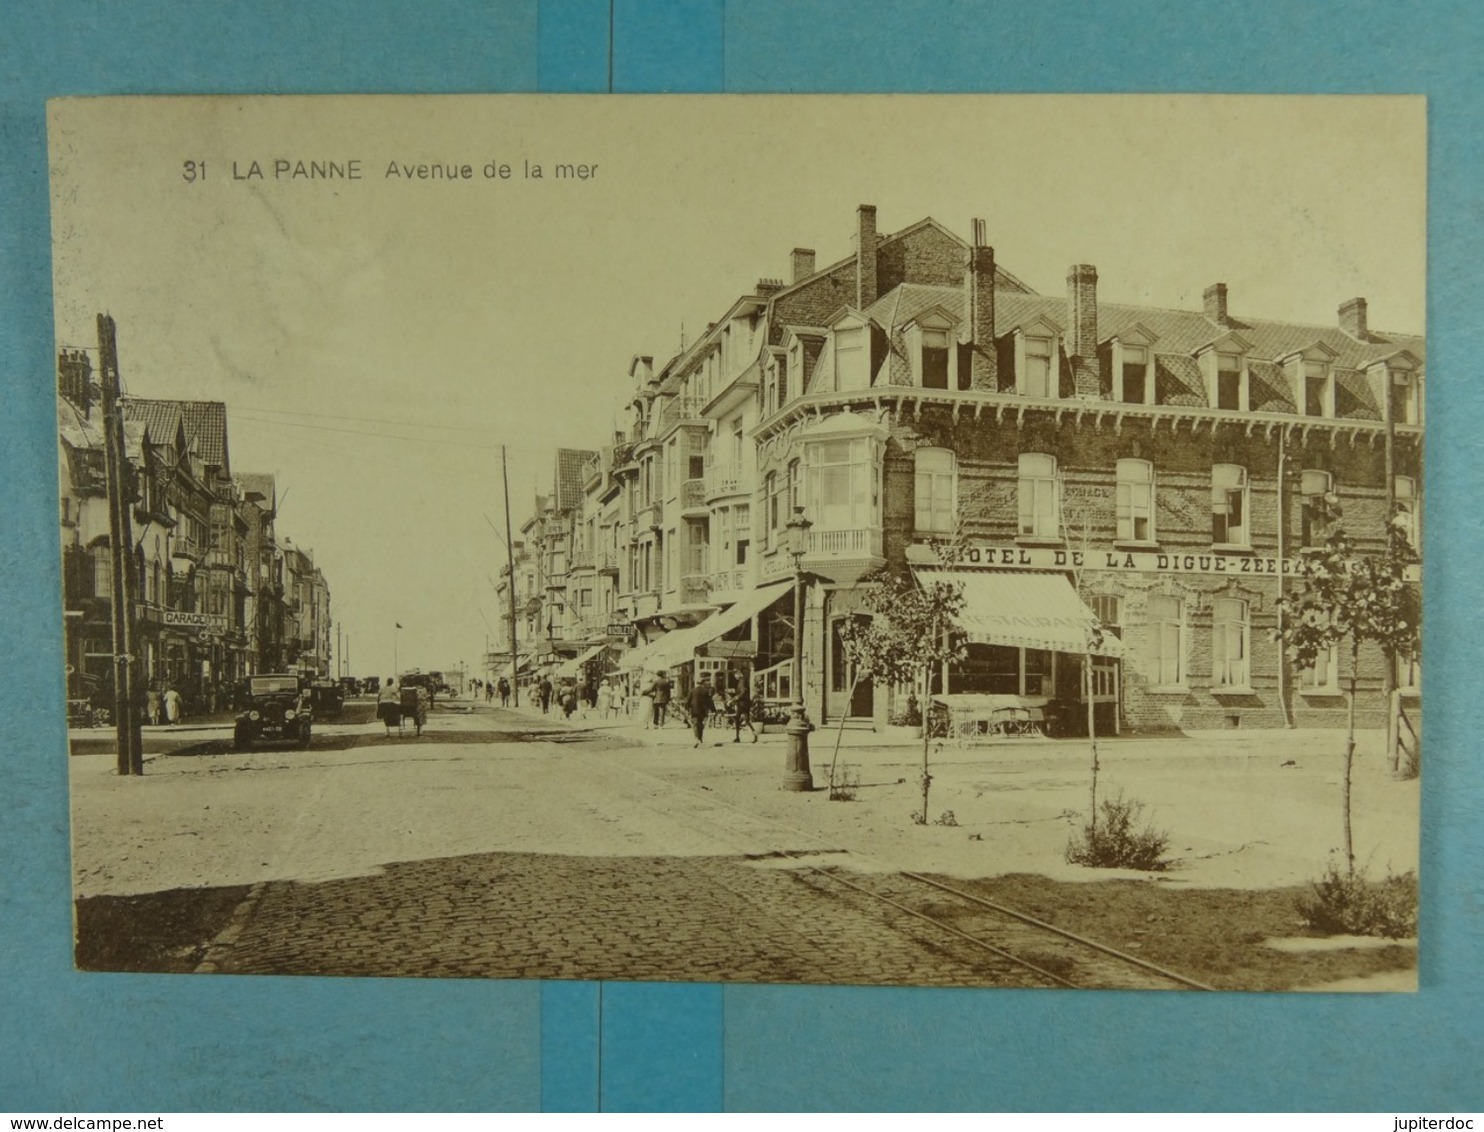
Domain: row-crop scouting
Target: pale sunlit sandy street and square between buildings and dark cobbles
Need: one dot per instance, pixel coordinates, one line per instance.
(1237, 815)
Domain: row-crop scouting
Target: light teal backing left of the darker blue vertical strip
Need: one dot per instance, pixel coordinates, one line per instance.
(75, 1042)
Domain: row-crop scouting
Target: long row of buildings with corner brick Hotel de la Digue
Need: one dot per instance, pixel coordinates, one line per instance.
(1155, 470)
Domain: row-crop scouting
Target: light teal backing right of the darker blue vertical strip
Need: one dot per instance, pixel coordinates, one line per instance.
(870, 1048)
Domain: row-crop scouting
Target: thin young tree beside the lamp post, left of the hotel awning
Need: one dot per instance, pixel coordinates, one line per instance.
(912, 633)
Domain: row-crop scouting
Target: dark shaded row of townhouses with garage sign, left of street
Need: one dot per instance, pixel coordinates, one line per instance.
(220, 594)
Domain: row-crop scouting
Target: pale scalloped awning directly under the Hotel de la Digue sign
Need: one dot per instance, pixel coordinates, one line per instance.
(1026, 611)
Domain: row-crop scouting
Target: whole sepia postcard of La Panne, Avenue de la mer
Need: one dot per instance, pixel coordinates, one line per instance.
(890, 541)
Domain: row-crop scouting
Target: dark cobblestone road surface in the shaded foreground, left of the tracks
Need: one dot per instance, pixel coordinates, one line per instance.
(539, 916)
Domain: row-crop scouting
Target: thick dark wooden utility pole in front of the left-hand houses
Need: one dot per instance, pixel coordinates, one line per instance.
(121, 544)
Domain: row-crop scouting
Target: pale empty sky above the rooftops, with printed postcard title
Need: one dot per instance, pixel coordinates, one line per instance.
(378, 340)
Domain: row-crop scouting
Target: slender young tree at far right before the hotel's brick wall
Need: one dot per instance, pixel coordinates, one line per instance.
(1350, 599)
